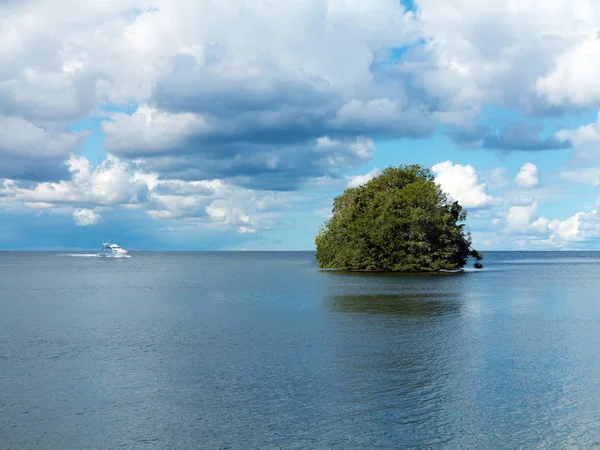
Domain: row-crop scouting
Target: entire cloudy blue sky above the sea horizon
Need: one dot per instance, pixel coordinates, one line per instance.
(233, 124)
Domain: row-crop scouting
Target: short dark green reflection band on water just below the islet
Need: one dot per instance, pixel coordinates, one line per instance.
(398, 304)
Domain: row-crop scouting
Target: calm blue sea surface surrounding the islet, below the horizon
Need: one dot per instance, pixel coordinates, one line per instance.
(262, 350)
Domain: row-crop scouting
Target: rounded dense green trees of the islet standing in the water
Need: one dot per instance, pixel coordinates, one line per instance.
(400, 221)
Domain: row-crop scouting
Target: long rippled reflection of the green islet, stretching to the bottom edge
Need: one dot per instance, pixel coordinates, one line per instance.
(392, 356)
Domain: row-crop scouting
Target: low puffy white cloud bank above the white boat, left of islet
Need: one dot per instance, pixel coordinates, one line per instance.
(118, 184)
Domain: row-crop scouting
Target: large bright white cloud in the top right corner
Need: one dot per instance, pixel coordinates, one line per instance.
(499, 50)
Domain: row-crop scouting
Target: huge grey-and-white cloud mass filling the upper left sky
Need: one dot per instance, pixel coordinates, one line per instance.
(214, 102)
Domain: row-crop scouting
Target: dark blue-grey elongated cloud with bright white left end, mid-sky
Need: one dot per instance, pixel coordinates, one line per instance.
(186, 146)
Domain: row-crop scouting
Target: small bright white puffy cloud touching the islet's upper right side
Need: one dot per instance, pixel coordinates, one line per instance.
(462, 184)
